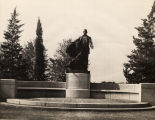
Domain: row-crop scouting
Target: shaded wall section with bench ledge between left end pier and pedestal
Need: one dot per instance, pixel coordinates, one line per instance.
(32, 89)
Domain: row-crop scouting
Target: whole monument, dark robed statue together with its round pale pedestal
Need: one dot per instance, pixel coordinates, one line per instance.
(77, 74)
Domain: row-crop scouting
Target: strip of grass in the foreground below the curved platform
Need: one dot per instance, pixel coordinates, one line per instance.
(12, 112)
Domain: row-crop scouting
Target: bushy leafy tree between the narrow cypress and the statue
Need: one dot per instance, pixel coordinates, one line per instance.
(57, 64)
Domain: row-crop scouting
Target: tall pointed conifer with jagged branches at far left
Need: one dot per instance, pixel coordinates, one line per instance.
(12, 65)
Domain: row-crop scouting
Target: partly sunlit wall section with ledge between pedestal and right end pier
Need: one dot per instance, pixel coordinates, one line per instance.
(116, 91)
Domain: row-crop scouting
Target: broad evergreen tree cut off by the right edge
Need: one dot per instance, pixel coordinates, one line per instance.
(141, 65)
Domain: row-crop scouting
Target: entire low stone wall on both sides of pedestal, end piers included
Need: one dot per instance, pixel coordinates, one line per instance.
(144, 92)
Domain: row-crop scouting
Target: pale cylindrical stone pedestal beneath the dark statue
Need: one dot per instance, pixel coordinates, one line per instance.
(78, 84)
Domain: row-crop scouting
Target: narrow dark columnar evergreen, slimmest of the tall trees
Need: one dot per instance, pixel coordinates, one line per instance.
(40, 65)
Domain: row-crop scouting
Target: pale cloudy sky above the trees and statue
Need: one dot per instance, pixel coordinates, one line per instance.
(110, 23)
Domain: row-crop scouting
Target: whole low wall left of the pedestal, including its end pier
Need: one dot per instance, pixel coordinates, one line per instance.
(10, 88)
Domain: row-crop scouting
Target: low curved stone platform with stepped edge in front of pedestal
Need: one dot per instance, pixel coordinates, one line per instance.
(80, 104)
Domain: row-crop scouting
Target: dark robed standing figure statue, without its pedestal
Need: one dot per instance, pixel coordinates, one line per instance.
(79, 51)
